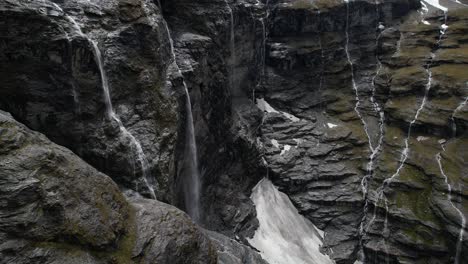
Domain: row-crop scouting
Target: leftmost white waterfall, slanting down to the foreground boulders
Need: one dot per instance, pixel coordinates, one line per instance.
(141, 158)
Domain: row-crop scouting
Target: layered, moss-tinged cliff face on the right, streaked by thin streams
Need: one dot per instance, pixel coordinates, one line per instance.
(319, 142)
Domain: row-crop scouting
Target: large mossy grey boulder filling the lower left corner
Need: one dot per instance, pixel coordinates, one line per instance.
(51, 197)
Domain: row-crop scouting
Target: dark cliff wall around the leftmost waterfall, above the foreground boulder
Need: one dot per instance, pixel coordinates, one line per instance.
(53, 84)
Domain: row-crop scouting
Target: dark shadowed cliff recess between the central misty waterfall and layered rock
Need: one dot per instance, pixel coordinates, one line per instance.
(225, 121)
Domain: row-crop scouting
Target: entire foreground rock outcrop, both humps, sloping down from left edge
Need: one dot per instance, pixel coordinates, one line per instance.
(58, 209)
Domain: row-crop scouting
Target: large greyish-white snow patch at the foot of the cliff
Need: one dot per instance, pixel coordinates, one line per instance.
(283, 235)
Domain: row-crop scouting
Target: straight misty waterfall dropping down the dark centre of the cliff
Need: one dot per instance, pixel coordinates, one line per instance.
(191, 177)
